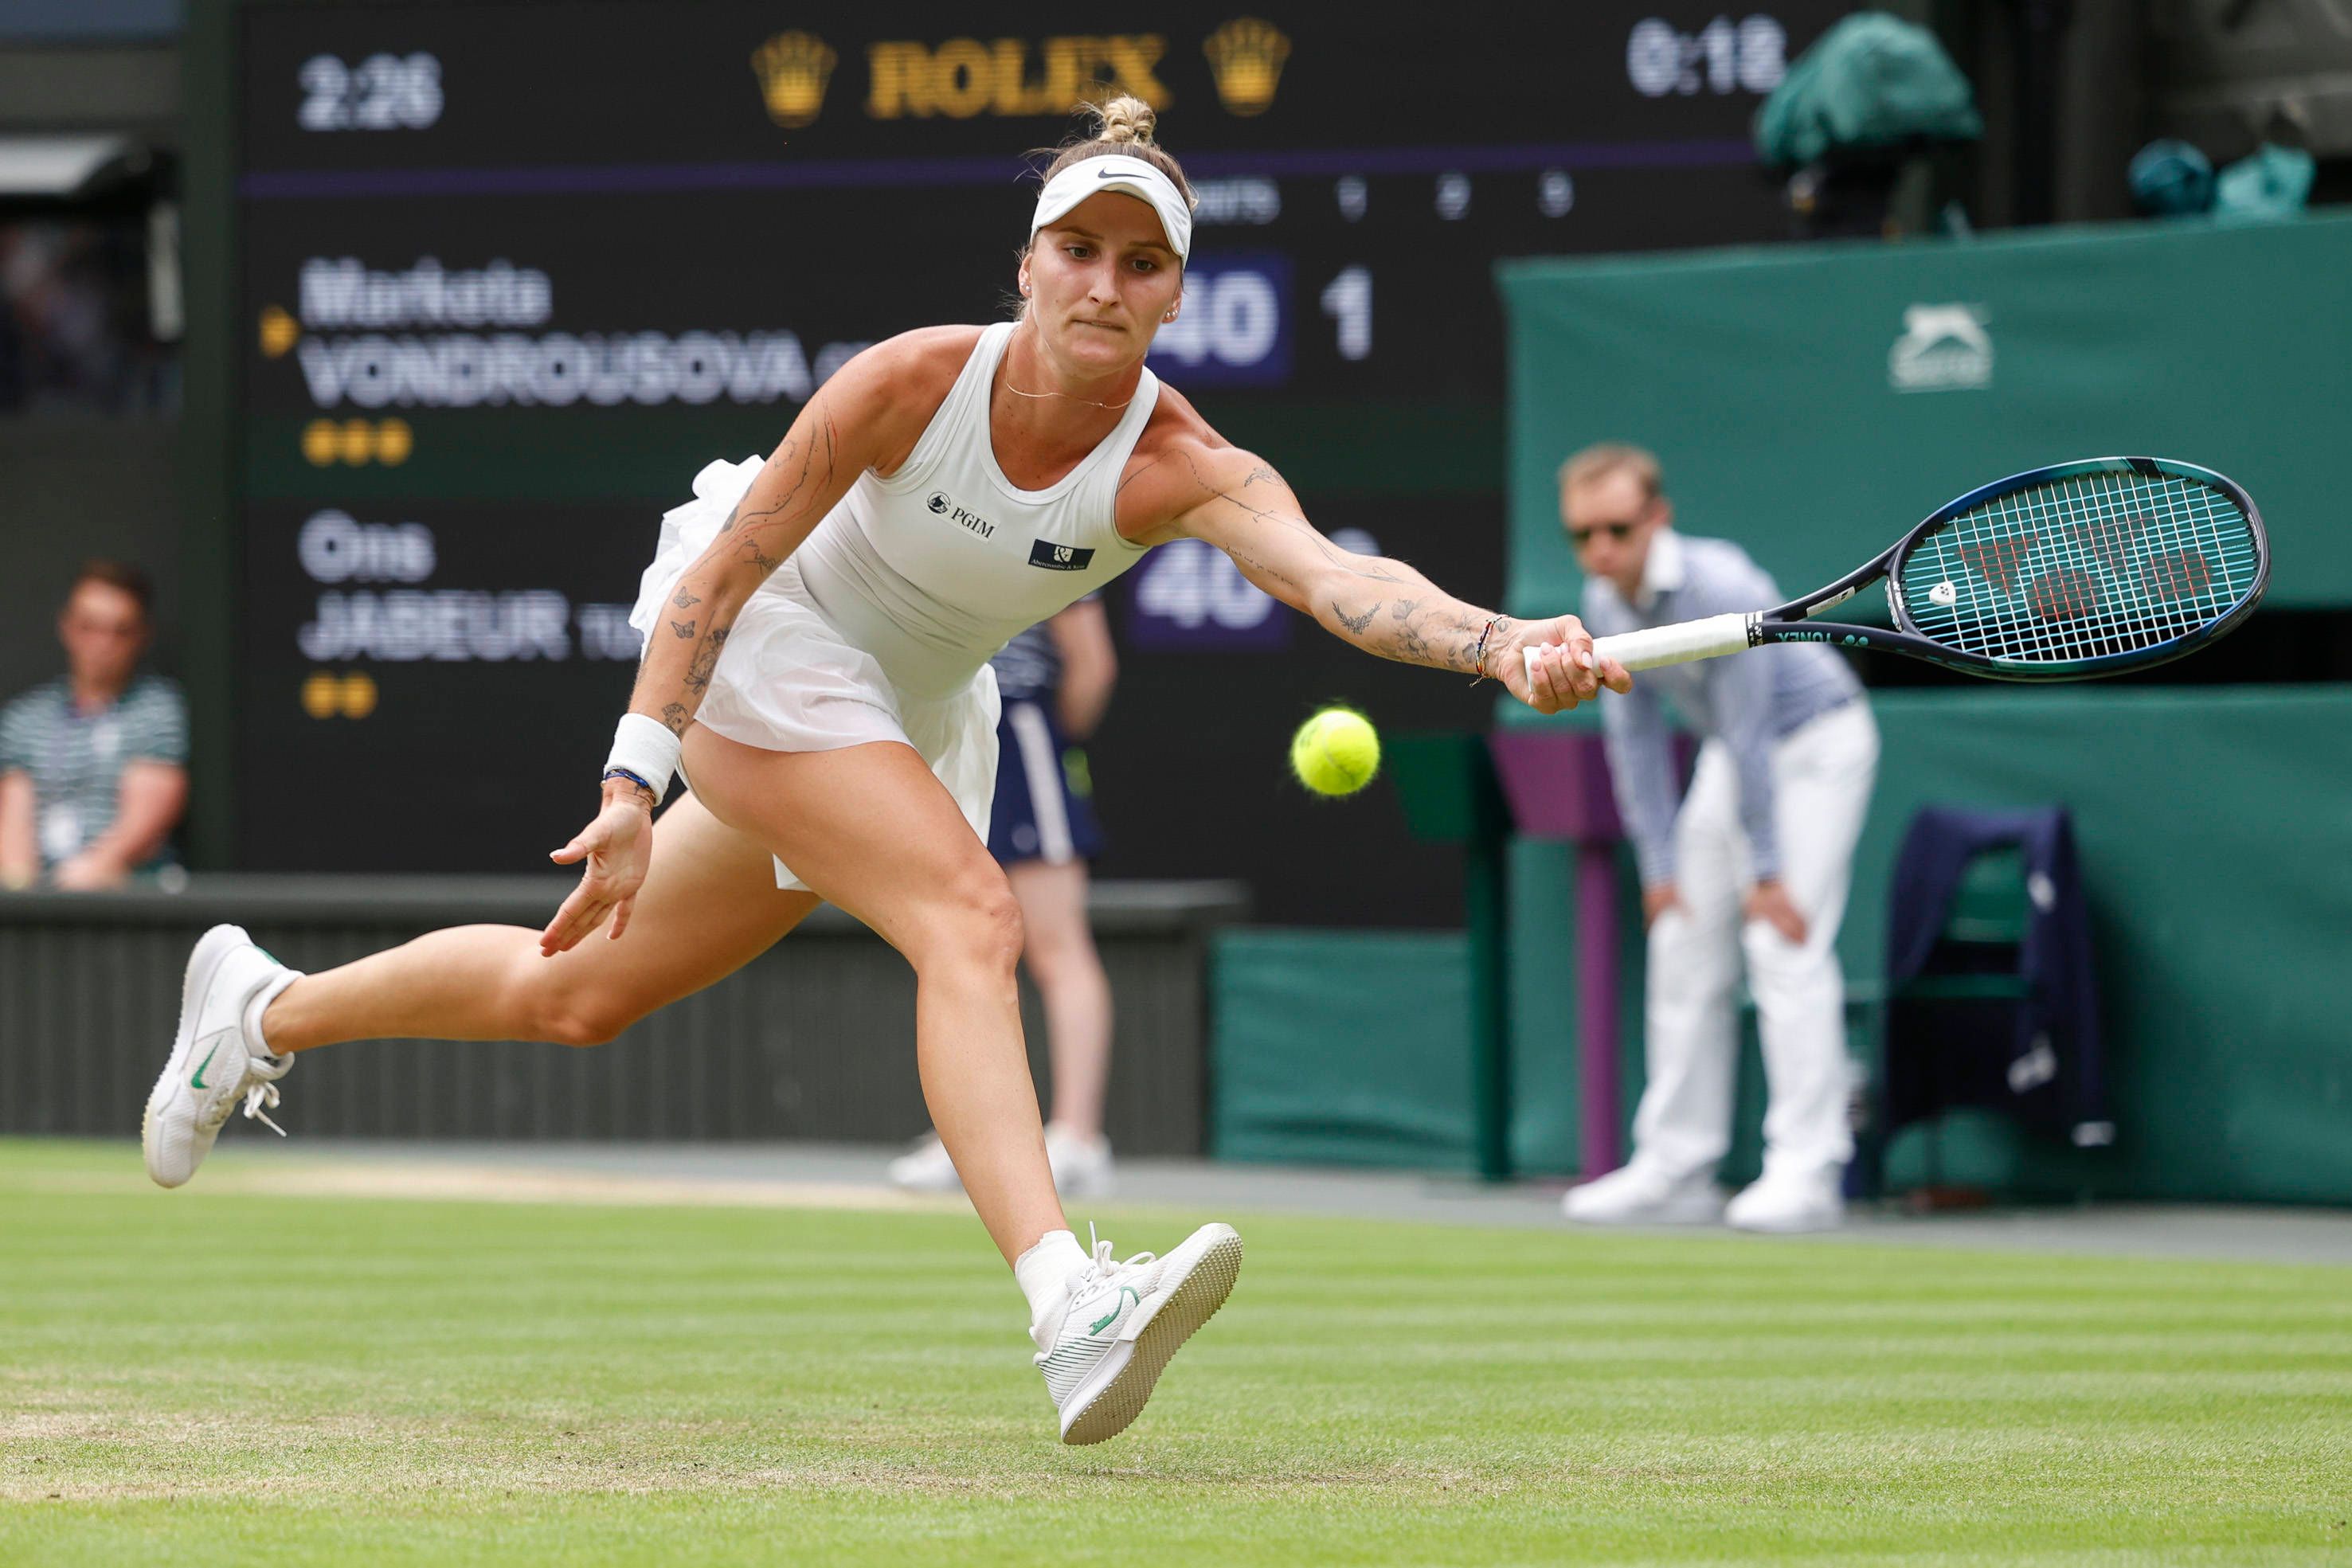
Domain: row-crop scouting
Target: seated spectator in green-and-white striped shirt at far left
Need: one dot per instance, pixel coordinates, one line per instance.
(93, 765)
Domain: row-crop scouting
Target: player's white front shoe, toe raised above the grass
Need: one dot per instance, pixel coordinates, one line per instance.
(1107, 1346)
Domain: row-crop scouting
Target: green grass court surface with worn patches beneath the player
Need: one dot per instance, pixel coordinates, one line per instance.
(234, 1376)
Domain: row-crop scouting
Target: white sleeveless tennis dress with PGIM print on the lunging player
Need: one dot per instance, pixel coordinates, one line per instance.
(883, 622)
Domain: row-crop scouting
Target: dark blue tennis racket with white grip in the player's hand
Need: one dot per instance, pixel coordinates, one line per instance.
(2064, 572)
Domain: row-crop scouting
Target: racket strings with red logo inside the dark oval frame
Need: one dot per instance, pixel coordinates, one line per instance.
(2083, 568)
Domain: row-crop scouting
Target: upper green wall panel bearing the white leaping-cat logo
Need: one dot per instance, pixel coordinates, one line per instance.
(1817, 401)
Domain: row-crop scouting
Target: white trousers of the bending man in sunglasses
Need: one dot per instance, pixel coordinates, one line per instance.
(1822, 793)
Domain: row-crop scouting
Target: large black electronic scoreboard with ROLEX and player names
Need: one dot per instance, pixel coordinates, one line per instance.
(509, 274)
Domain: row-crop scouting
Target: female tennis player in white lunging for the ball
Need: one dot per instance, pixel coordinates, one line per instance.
(817, 636)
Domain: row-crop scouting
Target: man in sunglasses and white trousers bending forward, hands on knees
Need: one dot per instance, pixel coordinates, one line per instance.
(1751, 864)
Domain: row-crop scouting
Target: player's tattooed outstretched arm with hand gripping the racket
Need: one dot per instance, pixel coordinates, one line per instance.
(1377, 603)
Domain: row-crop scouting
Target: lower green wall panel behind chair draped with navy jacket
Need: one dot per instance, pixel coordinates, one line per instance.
(2217, 852)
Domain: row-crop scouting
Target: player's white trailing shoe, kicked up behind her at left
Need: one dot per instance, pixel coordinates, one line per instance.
(218, 1057)
